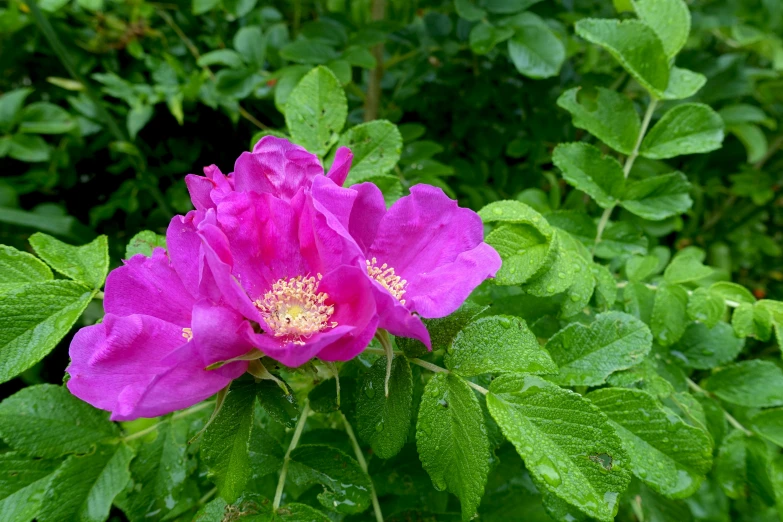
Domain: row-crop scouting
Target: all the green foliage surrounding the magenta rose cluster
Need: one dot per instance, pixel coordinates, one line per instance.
(602, 374)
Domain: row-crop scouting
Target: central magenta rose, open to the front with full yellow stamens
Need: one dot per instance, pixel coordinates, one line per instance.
(282, 265)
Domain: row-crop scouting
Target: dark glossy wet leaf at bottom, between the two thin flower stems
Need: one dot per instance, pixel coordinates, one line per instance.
(347, 487)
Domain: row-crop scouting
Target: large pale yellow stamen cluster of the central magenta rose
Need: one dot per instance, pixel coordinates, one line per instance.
(295, 309)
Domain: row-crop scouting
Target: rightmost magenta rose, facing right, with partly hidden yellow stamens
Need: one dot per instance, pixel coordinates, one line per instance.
(425, 254)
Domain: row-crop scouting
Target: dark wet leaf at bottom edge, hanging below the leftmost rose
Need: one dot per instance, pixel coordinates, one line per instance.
(158, 472)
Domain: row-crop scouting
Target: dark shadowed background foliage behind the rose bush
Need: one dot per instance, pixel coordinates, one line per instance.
(191, 84)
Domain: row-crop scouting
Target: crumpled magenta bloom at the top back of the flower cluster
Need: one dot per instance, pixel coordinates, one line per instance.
(276, 166)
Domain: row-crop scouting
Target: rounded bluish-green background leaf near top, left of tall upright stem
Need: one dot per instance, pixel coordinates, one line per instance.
(534, 49)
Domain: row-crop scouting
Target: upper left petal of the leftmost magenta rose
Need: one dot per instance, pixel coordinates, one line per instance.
(149, 286)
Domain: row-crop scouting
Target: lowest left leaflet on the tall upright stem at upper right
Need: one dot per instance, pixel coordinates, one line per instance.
(600, 177)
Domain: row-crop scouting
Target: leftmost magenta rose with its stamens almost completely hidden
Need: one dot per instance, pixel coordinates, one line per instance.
(149, 355)
